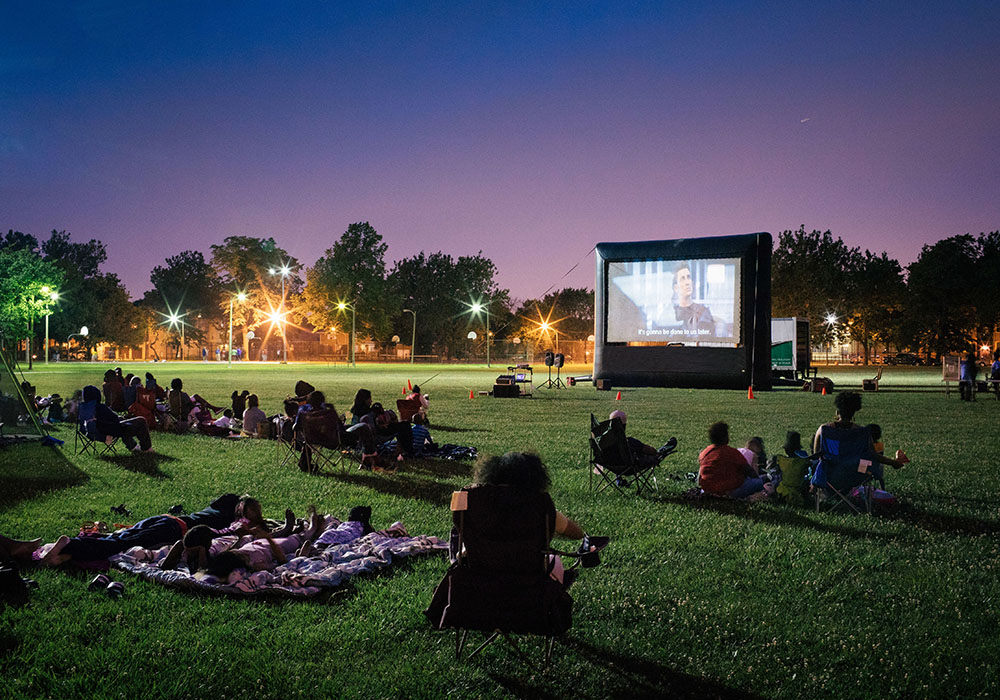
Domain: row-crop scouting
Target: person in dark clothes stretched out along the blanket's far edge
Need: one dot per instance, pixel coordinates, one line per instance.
(227, 511)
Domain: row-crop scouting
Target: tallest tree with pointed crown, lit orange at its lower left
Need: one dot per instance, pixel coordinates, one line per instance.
(351, 271)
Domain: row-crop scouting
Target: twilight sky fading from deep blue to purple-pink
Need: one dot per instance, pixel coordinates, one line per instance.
(530, 131)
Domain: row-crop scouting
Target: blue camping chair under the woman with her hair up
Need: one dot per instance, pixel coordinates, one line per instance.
(845, 462)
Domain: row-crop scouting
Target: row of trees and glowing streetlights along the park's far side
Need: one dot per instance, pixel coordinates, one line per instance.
(945, 301)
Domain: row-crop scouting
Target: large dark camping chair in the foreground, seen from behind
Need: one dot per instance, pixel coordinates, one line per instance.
(499, 582)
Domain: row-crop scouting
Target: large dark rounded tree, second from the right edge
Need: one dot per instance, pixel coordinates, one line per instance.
(942, 288)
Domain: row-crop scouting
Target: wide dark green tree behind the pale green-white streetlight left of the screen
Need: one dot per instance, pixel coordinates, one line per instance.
(441, 290)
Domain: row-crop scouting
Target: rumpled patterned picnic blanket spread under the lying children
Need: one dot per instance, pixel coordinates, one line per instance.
(301, 577)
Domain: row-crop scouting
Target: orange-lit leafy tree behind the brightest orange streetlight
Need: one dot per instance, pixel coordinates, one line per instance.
(244, 264)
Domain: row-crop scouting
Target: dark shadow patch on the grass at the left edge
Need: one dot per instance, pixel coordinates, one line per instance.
(29, 469)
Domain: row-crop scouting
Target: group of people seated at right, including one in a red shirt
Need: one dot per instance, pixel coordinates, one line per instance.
(747, 473)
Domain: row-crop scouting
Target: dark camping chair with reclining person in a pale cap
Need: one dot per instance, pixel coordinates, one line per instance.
(612, 460)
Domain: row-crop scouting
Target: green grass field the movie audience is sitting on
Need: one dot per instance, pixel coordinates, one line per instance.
(693, 599)
